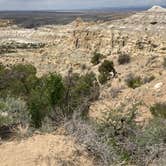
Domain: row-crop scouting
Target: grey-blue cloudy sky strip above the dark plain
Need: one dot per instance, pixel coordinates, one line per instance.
(73, 4)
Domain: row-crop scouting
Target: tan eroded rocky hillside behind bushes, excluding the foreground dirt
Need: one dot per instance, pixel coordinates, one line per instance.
(142, 36)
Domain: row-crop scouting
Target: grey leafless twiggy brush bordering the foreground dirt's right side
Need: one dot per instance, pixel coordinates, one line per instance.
(86, 134)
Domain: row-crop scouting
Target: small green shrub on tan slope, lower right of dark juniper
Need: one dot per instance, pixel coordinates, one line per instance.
(133, 81)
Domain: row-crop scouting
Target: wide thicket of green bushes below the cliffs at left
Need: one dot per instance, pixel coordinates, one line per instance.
(50, 96)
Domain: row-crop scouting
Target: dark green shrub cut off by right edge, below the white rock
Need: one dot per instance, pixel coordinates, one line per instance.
(159, 110)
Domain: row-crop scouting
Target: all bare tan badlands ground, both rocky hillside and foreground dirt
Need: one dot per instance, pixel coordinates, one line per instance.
(59, 47)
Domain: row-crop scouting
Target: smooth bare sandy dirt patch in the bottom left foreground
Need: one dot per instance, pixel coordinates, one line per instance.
(44, 150)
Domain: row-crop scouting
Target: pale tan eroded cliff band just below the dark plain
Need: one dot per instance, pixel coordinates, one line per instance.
(143, 31)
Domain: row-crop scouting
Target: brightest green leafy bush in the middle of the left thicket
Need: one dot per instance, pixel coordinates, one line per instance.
(47, 93)
